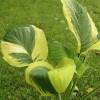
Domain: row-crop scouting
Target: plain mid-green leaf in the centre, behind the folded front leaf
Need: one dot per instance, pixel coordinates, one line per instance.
(56, 52)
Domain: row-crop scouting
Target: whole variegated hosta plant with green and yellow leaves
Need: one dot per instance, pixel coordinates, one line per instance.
(53, 68)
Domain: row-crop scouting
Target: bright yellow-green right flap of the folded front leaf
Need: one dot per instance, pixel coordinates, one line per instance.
(62, 75)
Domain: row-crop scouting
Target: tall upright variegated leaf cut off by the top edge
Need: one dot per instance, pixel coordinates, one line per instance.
(80, 24)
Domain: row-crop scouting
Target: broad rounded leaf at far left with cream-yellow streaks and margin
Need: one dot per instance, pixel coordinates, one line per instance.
(23, 45)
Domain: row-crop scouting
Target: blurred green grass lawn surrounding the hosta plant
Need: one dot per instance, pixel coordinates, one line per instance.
(48, 15)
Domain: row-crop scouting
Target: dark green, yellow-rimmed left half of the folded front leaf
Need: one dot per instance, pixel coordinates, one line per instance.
(37, 76)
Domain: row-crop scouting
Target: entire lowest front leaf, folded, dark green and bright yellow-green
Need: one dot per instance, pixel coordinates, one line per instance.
(50, 80)
